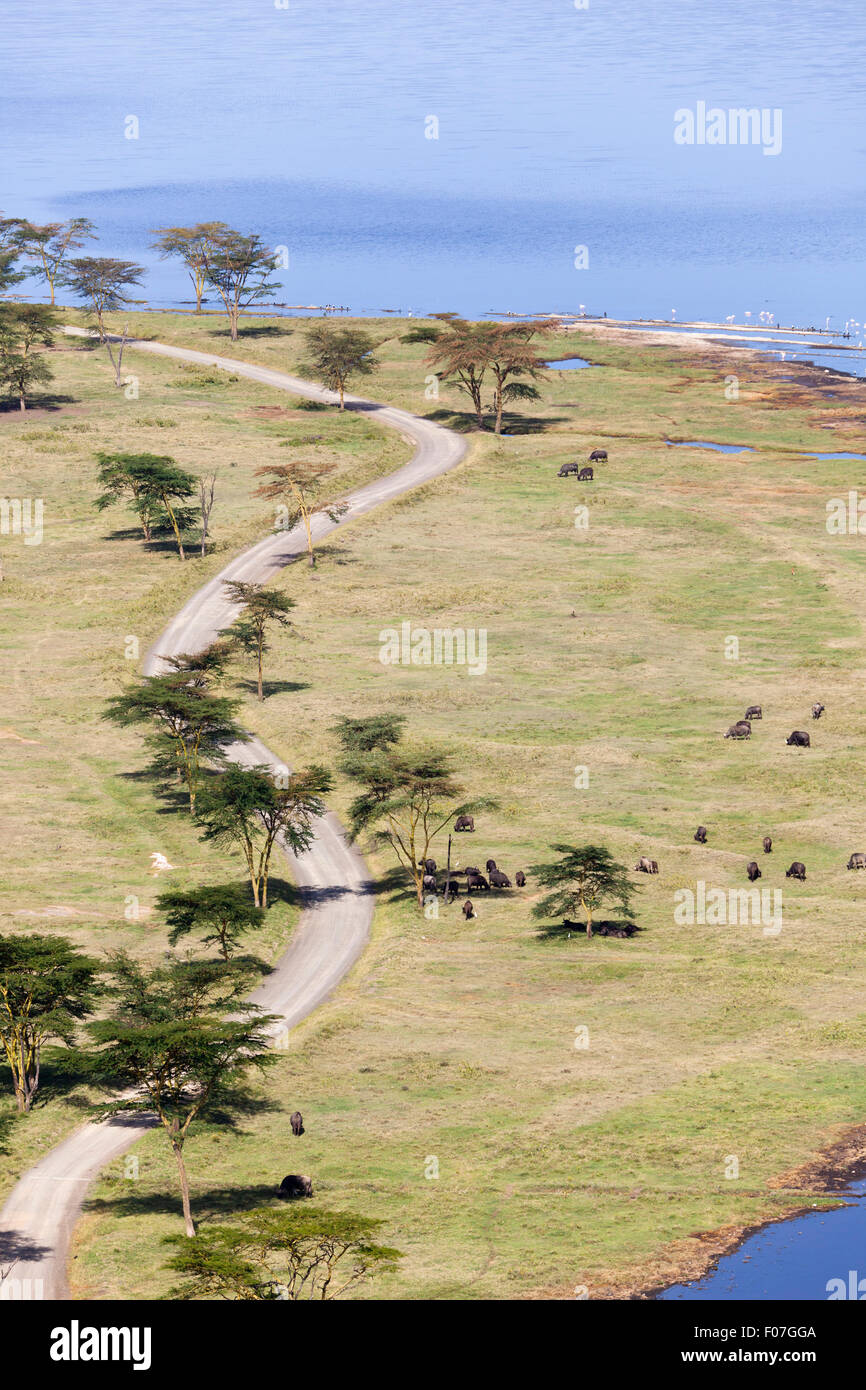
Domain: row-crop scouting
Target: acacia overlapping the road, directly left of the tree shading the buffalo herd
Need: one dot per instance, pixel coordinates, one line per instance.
(248, 810)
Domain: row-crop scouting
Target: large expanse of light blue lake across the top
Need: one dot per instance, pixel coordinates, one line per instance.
(482, 159)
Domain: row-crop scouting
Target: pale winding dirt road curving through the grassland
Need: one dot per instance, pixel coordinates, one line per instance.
(41, 1213)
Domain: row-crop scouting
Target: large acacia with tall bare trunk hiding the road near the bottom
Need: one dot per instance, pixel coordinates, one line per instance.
(180, 1040)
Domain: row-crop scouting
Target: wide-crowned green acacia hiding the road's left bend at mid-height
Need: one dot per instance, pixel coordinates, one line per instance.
(190, 726)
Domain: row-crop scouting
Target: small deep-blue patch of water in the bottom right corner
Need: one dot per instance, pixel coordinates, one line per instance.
(793, 1260)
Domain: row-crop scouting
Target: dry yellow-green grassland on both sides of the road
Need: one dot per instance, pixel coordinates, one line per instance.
(558, 1167)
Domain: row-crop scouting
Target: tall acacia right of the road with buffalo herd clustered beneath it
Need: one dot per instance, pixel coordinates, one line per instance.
(408, 794)
